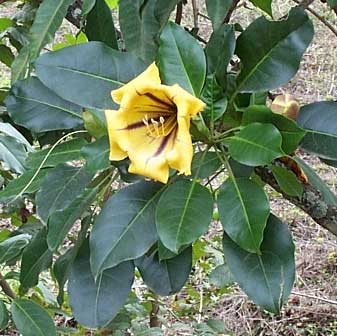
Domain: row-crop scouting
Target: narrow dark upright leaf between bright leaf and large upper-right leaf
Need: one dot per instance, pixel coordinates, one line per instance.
(219, 51)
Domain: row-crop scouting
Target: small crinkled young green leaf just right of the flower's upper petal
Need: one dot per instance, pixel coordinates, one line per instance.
(213, 96)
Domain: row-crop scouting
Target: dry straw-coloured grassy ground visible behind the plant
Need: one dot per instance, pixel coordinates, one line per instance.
(312, 306)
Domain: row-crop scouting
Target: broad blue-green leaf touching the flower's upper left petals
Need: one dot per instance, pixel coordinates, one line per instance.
(69, 72)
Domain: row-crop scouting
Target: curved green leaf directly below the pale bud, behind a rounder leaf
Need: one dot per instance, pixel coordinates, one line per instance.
(291, 133)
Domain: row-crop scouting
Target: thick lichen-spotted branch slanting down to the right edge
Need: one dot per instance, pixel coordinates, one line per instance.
(311, 202)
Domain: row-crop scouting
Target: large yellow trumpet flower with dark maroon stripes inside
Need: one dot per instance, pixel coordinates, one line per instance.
(152, 125)
